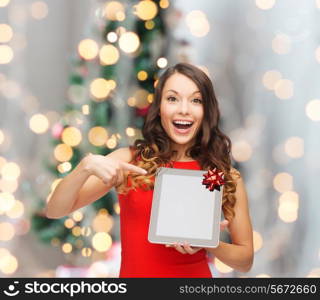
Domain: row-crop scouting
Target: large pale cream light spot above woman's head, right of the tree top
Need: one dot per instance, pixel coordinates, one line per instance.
(197, 22)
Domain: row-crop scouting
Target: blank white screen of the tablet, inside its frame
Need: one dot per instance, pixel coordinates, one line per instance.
(186, 208)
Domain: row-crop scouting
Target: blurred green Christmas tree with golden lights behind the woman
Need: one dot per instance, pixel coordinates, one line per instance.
(110, 91)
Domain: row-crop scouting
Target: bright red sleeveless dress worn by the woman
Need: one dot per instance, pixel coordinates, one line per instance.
(139, 257)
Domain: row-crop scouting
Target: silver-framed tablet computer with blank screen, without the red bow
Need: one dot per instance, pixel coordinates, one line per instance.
(184, 210)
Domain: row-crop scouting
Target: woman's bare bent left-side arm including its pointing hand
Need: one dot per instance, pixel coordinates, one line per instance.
(93, 177)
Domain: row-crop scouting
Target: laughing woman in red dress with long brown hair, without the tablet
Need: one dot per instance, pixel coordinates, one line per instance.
(181, 130)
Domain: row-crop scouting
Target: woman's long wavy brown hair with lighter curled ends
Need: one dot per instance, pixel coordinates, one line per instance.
(211, 148)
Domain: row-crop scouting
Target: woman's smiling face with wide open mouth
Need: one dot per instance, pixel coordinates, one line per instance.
(181, 110)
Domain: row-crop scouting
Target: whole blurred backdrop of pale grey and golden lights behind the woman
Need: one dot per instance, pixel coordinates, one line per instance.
(77, 76)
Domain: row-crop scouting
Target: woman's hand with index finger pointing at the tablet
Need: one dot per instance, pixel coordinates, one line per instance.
(109, 169)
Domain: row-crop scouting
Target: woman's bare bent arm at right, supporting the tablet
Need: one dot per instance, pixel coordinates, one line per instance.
(239, 254)
